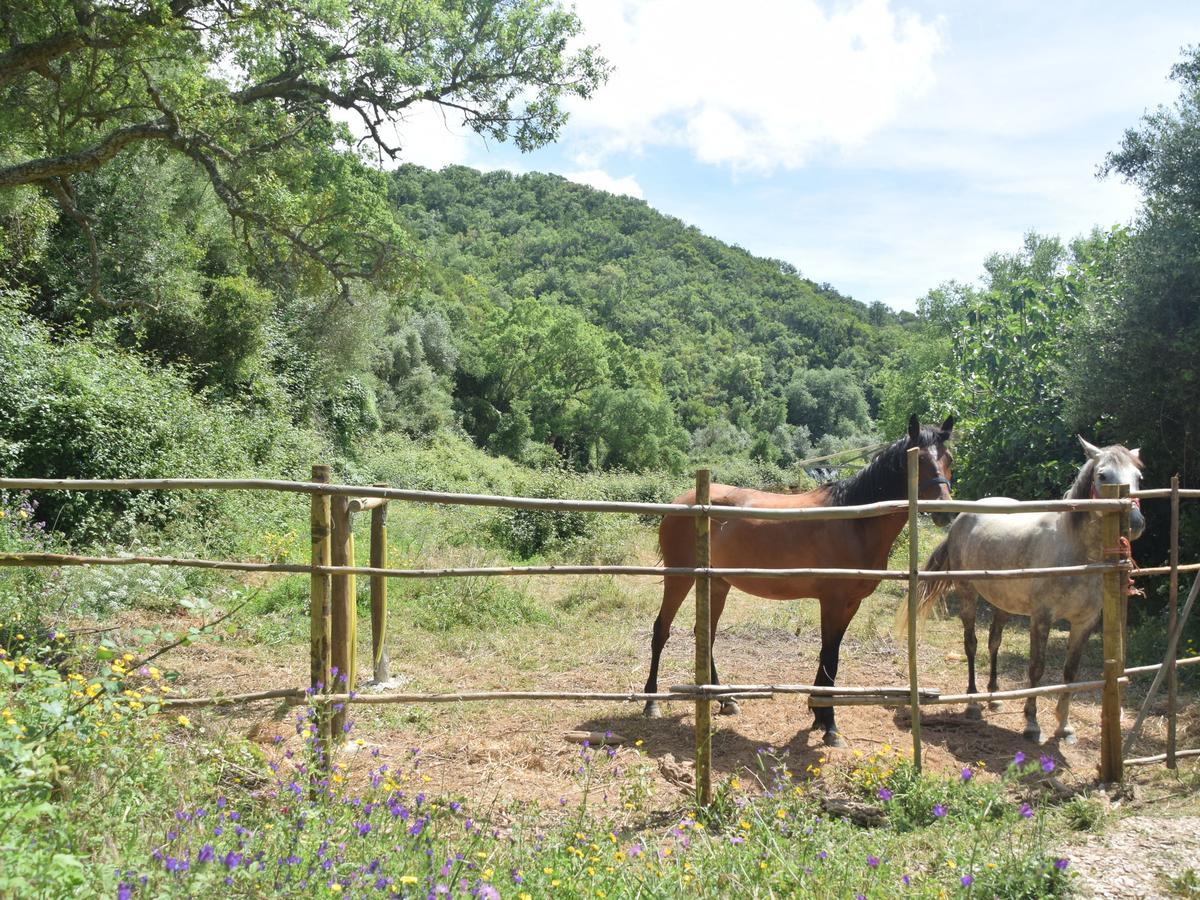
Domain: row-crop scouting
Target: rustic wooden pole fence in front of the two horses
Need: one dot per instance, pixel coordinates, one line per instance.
(334, 614)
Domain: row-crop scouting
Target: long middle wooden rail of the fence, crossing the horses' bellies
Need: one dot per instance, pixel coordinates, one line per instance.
(56, 560)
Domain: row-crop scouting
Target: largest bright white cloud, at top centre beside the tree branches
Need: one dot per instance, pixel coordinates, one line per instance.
(757, 87)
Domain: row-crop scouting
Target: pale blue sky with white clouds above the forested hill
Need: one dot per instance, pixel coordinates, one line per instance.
(880, 146)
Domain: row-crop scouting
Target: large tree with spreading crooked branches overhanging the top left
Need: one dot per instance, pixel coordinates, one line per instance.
(255, 94)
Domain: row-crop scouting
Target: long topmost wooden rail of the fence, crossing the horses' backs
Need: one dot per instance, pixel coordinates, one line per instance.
(662, 509)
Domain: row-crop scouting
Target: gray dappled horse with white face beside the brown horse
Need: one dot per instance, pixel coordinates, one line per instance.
(1028, 541)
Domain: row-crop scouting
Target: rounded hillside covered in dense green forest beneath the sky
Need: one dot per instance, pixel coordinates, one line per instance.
(754, 359)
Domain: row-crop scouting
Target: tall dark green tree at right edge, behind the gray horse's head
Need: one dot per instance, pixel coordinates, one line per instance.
(1137, 361)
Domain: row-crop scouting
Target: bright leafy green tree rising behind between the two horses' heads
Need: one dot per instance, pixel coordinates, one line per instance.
(1004, 376)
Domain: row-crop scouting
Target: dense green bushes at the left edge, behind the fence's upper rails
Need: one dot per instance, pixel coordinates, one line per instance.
(85, 410)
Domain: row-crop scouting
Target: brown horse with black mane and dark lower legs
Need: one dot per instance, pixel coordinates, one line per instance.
(800, 544)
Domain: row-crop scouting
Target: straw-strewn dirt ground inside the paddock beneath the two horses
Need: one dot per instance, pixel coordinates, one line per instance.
(517, 752)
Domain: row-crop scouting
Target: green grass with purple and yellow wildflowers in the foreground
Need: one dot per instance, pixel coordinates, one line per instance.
(214, 815)
